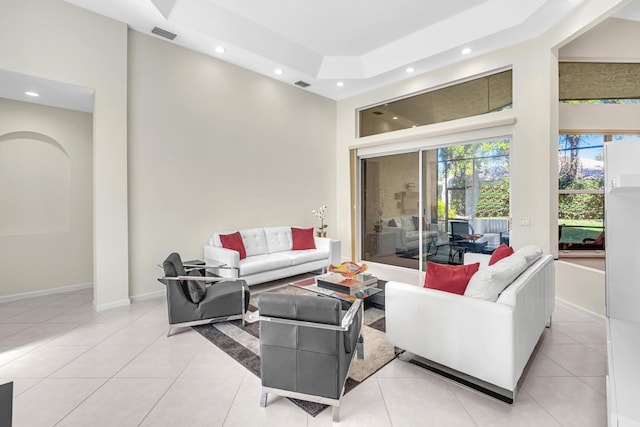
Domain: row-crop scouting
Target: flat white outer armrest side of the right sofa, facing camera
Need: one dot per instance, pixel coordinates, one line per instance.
(469, 335)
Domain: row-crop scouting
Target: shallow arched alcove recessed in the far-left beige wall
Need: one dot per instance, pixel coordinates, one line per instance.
(35, 184)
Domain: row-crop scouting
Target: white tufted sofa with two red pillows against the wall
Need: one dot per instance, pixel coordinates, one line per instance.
(270, 255)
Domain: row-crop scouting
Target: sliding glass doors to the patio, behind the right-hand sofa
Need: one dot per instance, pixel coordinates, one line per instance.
(460, 184)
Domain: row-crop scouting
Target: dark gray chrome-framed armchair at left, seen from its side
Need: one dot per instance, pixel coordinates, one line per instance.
(193, 299)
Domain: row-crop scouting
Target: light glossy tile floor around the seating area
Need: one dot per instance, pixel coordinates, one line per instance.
(72, 366)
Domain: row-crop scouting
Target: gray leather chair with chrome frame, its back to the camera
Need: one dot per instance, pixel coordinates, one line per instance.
(307, 344)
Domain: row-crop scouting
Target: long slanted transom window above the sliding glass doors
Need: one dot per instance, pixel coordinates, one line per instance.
(471, 98)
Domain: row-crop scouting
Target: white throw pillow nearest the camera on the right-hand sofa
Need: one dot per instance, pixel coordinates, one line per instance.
(489, 282)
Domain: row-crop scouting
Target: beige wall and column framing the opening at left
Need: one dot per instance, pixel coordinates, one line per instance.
(57, 41)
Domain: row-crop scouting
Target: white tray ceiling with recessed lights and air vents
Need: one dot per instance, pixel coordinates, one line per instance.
(364, 44)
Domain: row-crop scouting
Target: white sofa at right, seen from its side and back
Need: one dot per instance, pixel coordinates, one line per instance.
(486, 340)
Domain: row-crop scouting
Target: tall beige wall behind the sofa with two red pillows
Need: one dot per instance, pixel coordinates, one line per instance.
(214, 147)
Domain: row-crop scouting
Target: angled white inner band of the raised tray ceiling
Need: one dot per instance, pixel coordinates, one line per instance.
(209, 18)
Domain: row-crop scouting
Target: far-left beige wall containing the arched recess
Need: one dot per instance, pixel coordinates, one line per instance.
(46, 233)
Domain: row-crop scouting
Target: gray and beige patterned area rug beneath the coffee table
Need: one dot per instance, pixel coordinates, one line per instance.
(243, 344)
